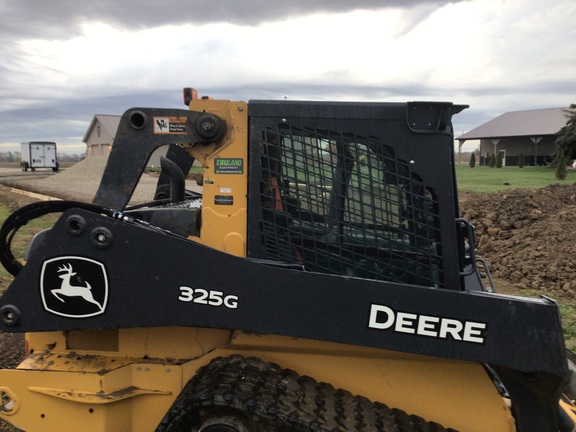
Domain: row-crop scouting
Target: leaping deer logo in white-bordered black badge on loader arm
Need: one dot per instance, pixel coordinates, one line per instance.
(74, 287)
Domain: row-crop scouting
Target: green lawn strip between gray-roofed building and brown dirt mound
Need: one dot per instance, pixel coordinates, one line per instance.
(490, 180)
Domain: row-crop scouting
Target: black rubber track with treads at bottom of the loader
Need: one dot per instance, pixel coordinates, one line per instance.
(282, 400)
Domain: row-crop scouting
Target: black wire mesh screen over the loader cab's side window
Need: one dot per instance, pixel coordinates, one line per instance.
(343, 204)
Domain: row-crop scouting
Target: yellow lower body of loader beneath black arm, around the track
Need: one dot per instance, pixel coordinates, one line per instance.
(108, 392)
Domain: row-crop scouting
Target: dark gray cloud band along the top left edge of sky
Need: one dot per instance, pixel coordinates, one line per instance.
(56, 19)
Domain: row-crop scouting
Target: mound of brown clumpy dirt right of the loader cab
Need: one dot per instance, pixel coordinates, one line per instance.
(528, 237)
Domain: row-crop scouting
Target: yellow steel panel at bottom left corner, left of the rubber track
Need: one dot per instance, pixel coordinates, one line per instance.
(80, 401)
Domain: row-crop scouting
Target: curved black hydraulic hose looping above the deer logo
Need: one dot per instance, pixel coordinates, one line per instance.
(27, 213)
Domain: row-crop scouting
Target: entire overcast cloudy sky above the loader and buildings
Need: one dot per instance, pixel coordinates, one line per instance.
(62, 61)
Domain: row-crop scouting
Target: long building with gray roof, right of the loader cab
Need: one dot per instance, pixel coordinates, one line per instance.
(529, 132)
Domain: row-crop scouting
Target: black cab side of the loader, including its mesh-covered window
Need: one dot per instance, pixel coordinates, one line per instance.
(362, 190)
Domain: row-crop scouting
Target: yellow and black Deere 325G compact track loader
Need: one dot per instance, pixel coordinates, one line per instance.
(322, 281)
